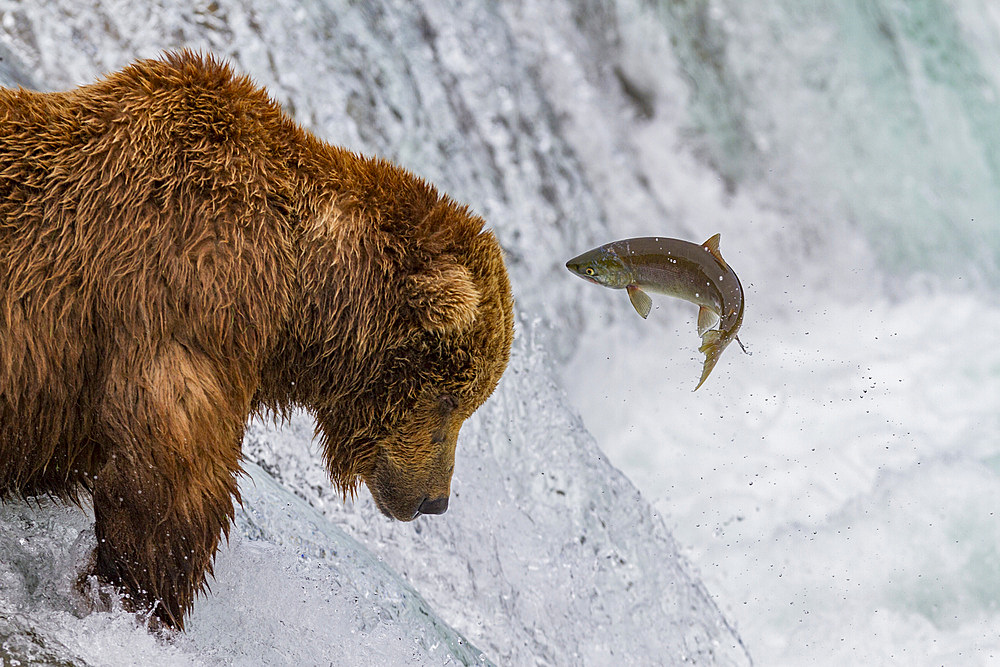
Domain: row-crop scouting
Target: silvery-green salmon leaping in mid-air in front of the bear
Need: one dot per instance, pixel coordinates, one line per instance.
(695, 273)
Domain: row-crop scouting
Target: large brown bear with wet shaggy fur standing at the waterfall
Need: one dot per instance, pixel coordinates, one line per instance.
(176, 255)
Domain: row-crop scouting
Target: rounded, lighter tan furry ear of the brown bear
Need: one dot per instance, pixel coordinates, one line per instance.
(445, 298)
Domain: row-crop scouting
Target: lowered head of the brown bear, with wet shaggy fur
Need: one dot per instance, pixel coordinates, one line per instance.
(419, 326)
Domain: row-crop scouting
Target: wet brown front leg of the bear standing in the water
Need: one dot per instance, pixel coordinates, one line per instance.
(165, 495)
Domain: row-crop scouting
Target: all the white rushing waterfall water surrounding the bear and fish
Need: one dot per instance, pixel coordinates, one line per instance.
(835, 490)
